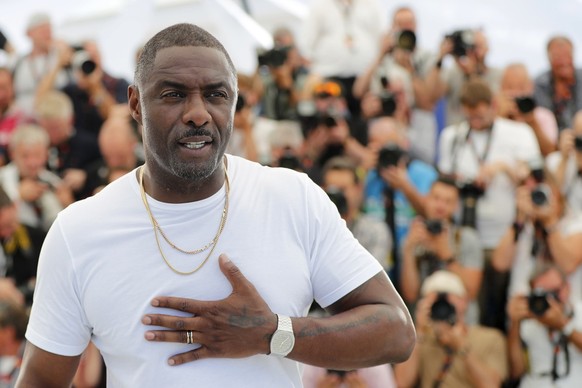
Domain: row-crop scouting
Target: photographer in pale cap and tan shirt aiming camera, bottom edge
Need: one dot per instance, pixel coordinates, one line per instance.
(450, 352)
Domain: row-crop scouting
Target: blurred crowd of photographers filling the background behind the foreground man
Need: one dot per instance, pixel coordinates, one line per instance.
(462, 179)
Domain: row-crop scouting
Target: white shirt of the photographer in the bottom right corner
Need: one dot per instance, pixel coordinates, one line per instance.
(541, 350)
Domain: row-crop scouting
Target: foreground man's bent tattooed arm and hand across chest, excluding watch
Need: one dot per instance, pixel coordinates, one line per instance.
(369, 326)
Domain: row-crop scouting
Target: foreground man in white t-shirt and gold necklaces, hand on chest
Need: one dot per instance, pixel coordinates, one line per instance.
(125, 285)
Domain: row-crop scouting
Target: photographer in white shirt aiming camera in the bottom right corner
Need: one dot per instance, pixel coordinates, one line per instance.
(545, 332)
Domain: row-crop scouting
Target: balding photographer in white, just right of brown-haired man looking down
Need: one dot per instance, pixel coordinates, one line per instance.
(515, 101)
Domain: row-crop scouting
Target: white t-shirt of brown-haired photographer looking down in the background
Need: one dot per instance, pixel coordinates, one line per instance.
(510, 142)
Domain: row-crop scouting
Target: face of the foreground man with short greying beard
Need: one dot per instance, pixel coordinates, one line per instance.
(186, 107)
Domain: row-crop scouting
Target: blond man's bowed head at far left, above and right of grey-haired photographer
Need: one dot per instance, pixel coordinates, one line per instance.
(54, 112)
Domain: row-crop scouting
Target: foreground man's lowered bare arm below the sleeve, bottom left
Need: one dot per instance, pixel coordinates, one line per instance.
(46, 370)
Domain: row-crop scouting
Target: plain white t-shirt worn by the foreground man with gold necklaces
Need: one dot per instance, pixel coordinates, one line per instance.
(100, 268)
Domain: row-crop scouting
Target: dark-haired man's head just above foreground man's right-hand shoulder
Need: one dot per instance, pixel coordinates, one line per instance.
(340, 173)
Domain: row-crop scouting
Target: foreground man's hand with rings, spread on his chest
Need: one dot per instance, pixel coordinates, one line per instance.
(239, 326)
